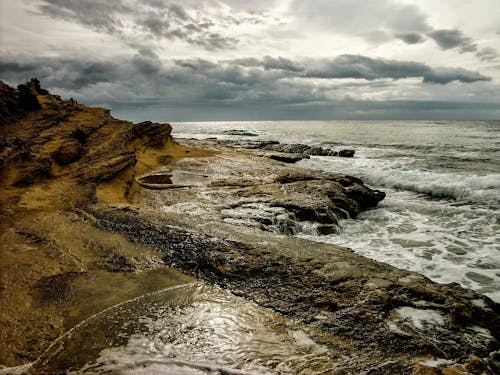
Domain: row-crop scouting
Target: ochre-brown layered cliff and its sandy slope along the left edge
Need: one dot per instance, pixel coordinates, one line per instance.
(54, 153)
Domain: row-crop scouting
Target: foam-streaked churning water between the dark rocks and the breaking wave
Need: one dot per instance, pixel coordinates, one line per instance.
(444, 242)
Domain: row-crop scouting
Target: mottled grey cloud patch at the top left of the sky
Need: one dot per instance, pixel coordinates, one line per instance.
(153, 19)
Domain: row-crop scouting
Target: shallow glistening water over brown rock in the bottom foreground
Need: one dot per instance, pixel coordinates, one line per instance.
(189, 329)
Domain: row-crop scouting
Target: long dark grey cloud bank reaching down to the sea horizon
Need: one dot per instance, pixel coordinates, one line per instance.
(240, 88)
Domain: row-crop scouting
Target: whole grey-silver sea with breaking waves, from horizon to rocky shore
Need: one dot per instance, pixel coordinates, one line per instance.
(441, 216)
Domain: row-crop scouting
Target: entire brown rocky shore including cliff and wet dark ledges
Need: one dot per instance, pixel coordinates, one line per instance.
(92, 203)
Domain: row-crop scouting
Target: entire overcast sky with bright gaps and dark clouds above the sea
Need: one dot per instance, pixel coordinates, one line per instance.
(206, 60)
